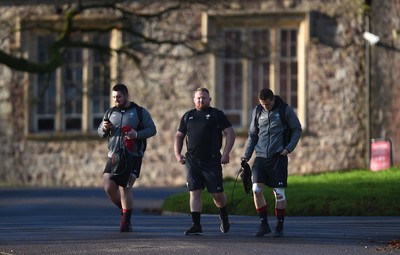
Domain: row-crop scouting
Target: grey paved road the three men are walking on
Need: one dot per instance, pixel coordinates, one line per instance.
(83, 221)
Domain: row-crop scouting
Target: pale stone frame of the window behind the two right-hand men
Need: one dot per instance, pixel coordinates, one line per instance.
(212, 26)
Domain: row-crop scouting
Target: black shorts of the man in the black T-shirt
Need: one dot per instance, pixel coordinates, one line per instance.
(202, 174)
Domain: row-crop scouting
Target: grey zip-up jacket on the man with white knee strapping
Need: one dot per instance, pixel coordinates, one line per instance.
(268, 141)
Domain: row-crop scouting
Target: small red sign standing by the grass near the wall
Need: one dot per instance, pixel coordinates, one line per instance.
(380, 155)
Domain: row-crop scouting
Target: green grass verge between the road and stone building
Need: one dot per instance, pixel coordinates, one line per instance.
(345, 193)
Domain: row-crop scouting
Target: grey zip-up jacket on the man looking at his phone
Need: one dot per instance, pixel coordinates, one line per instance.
(127, 117)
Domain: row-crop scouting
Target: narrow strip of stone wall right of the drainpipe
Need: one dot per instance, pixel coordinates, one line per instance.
(385, 73)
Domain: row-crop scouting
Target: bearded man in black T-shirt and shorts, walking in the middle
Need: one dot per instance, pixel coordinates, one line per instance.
(203, 127)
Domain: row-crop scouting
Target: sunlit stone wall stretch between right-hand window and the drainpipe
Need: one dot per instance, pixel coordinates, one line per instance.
(334, 137)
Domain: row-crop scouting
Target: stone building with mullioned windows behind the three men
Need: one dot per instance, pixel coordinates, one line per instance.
(310, 52)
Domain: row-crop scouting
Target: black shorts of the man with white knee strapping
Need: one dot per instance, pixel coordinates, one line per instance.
(273, 172)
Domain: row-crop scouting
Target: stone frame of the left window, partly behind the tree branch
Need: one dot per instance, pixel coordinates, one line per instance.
(88, 127)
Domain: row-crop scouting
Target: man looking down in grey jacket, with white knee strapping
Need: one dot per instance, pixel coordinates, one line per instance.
(267, 137)
